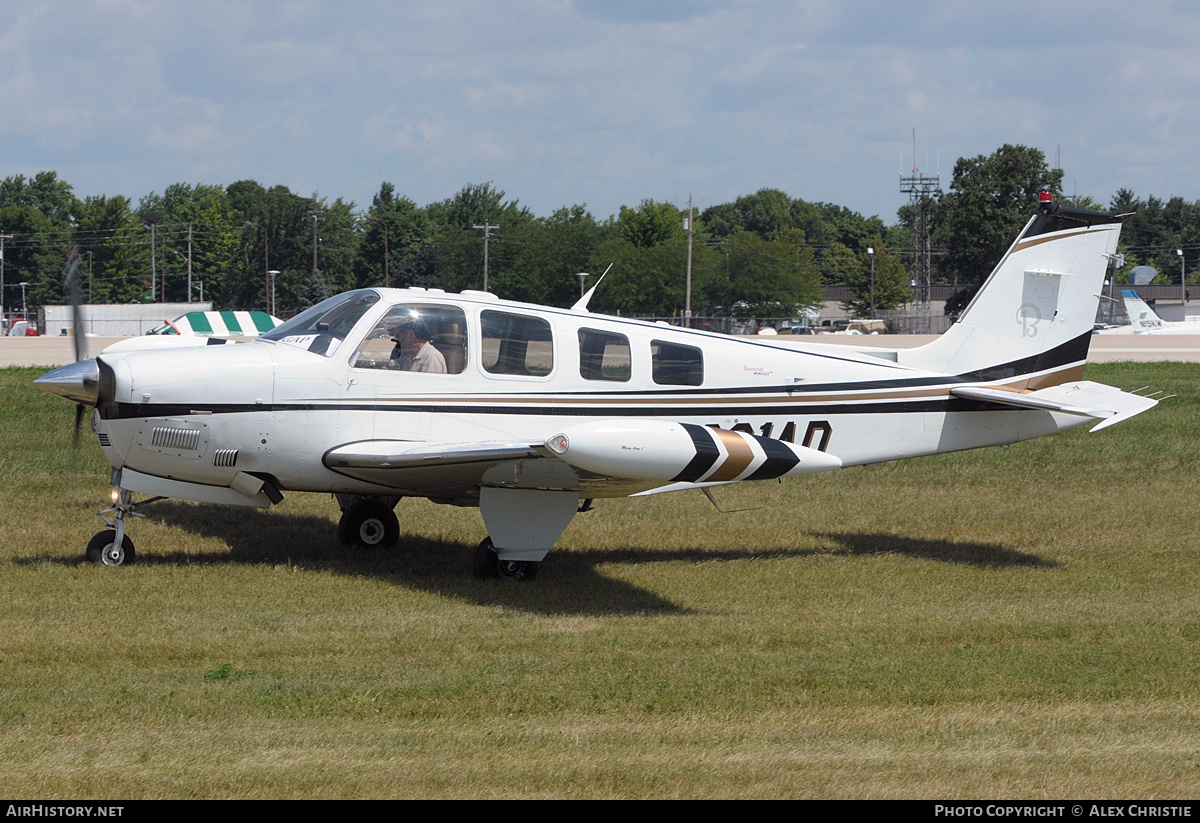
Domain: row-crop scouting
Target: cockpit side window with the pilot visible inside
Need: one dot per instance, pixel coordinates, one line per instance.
(399, 341)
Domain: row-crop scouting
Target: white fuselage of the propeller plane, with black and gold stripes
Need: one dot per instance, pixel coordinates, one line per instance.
(517, 373)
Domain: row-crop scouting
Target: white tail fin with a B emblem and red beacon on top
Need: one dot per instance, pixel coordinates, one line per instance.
(1034, 316)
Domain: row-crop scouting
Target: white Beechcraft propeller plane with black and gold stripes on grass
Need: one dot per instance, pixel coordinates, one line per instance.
(530, 413)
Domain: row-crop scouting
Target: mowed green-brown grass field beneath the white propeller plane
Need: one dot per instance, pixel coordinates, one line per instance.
(1013, 623)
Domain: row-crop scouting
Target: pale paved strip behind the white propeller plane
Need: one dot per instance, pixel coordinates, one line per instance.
(1105, 349)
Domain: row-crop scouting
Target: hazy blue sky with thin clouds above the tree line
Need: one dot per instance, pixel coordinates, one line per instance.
(560, 103)
